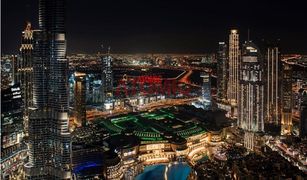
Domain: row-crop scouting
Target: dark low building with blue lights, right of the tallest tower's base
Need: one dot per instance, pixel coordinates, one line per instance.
(88, 146)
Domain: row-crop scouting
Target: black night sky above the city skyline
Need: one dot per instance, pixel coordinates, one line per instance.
(163, 26)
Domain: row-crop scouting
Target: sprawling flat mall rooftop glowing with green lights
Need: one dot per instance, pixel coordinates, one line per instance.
(152, 126)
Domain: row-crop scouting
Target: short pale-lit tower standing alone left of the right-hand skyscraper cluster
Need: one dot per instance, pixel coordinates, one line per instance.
(206, 91)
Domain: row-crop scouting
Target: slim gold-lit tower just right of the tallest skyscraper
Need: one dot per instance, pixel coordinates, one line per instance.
(80, 98)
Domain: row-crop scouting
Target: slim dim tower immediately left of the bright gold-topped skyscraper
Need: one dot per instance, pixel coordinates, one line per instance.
(222, 71)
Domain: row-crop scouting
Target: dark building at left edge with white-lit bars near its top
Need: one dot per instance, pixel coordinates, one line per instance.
(13, 147)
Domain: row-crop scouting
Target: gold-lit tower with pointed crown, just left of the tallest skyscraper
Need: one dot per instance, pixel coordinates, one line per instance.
(25, 69)
